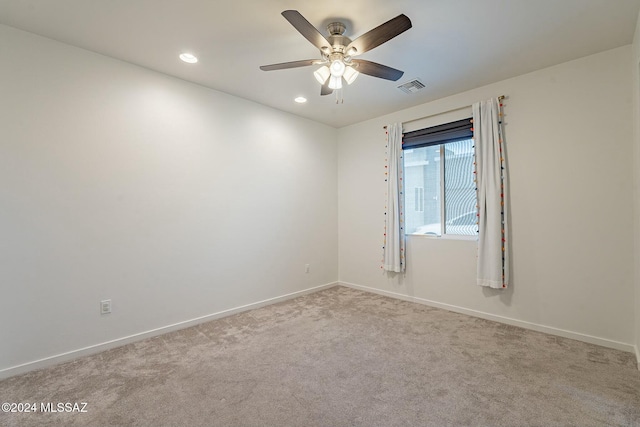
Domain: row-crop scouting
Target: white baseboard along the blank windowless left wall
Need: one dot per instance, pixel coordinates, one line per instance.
(74, 354)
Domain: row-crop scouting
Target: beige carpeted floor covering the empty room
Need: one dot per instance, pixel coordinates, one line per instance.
(340, 357)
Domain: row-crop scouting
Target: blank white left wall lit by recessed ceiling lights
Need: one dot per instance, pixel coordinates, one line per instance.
(172, 200)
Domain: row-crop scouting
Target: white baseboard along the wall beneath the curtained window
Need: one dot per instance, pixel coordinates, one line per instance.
(506, 320)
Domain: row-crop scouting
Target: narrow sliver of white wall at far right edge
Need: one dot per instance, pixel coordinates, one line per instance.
(635, 66)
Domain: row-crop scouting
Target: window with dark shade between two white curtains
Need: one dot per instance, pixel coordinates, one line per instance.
(440, 195)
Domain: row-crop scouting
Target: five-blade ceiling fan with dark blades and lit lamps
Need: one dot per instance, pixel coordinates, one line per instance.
(338, 51)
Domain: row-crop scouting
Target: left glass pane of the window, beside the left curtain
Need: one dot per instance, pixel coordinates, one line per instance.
(422, 190)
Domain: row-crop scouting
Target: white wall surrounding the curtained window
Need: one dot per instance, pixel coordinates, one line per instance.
(569, 148)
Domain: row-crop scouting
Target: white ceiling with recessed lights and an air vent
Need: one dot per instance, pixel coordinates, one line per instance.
(454, 45)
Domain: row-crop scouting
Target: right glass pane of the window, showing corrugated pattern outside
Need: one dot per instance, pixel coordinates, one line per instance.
(459, 188)
